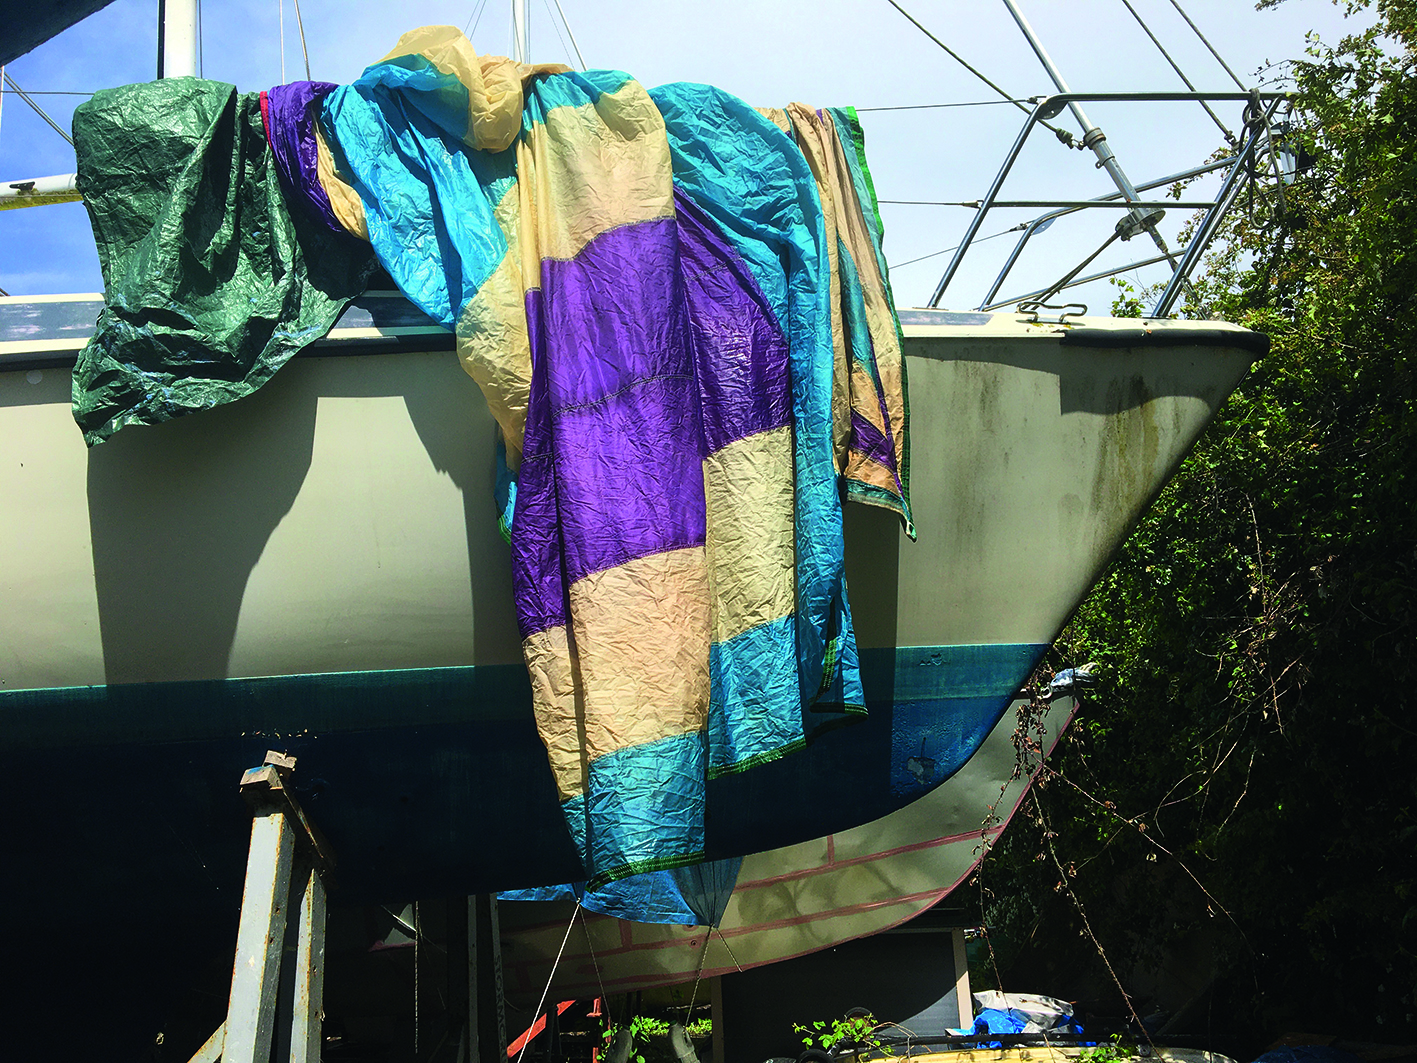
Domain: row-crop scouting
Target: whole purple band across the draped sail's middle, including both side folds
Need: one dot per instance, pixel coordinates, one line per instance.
(651, 349)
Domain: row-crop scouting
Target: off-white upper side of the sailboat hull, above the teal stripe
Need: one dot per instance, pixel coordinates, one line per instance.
(342, 518)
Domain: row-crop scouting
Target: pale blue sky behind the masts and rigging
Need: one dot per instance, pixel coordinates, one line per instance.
(823, 53)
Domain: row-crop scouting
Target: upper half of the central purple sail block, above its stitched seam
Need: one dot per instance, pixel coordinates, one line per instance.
(614, 314)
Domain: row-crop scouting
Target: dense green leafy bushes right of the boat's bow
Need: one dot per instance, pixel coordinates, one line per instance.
(1243, 784)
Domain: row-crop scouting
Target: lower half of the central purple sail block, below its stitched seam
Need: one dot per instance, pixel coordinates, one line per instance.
(630, 476)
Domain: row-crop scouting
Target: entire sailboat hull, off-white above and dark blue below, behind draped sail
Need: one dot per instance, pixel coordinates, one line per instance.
(318, 569)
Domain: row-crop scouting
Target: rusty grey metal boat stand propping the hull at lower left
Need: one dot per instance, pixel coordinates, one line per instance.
(277, 989)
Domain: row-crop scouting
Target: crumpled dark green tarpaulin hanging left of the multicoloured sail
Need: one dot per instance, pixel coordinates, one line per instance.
(212, 281)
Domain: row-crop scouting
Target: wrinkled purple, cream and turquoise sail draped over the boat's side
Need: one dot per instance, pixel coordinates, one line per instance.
(648, 294)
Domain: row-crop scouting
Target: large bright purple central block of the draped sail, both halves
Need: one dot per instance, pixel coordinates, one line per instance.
(626, 430)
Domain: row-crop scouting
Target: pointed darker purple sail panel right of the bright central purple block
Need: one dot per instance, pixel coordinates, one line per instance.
(740, 352)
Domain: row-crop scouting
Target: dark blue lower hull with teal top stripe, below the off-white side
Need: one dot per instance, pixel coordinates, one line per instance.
(128, 838)
